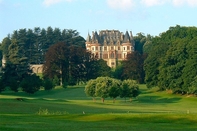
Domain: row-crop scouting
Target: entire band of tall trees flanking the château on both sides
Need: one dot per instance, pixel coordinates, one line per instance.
(167, 61)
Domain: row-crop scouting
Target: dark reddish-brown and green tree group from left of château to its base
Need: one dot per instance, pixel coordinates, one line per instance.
(69, 65)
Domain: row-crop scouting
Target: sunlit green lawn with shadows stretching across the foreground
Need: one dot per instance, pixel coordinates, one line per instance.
(71, 110)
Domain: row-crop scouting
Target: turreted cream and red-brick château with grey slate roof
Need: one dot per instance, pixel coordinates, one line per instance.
(110, 45)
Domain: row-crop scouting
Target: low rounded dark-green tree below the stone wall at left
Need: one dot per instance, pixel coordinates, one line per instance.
(31, 84)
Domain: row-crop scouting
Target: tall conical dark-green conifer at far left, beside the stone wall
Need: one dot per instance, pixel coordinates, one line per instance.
(16, 67)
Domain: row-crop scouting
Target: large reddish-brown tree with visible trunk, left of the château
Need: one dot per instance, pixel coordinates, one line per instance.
(57, 62)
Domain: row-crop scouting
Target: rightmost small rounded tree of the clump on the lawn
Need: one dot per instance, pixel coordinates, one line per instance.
(129, 89)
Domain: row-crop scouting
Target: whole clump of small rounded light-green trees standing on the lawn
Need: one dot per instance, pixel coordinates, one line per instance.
(109, 87)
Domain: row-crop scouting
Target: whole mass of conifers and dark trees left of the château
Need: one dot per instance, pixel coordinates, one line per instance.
(65, 59)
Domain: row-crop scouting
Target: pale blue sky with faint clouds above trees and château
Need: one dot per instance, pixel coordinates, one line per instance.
(147, 16)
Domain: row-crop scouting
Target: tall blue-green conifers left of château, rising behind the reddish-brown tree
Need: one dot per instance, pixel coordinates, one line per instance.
(35, 43)
